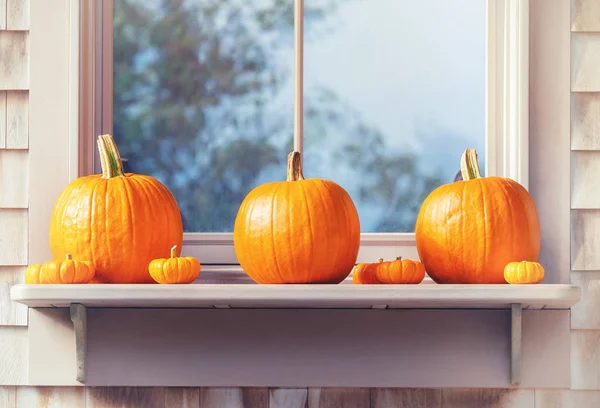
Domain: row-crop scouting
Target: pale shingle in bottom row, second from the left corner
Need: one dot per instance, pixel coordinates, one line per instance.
(50, 397)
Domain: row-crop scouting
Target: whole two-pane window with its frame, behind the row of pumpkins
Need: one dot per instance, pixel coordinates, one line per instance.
(200, 94)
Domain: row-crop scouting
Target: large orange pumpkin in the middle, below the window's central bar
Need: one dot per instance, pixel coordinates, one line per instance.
(297, 231)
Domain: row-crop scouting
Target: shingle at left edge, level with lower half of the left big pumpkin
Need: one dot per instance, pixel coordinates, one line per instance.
(13, 240)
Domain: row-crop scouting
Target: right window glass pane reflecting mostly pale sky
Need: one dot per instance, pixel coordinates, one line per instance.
(394, 93)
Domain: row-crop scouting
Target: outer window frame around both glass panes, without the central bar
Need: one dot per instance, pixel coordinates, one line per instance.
(507, 113)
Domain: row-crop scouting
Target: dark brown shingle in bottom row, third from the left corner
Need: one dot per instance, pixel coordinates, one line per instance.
(125, 397)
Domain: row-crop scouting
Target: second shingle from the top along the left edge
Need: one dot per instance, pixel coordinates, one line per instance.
(14, 60)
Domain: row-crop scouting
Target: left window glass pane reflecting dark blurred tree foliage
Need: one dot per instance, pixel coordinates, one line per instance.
(198, 91)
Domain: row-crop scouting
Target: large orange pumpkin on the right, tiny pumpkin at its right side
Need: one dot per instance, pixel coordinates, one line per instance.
(468, 231)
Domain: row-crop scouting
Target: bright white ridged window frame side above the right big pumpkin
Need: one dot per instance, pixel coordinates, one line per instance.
(507, 76)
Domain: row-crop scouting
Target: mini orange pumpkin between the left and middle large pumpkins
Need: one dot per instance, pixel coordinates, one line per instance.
(174, 269)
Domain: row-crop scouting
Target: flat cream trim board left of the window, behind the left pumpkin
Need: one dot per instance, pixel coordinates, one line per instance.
(52, 133)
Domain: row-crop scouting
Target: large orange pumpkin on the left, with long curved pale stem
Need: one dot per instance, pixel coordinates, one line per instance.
(118, 221)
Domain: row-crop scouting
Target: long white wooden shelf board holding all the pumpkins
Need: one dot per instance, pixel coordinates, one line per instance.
(431, 296)
